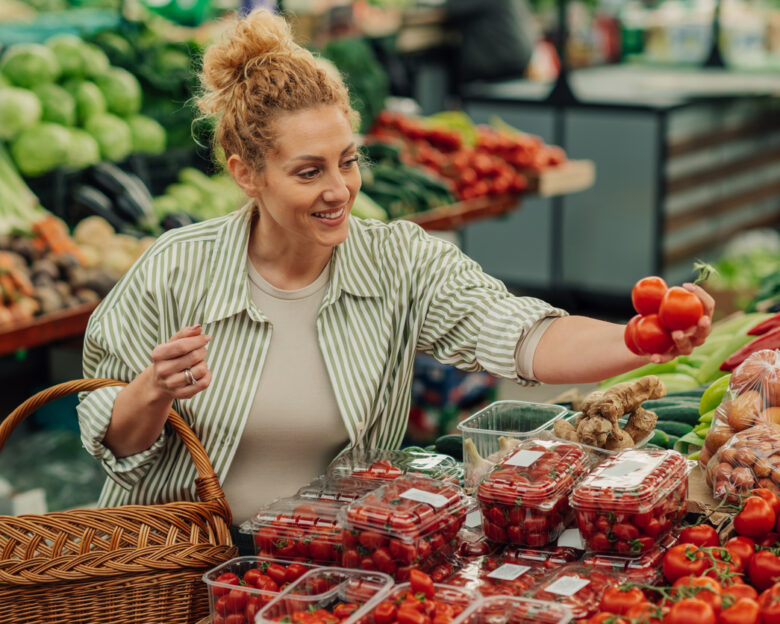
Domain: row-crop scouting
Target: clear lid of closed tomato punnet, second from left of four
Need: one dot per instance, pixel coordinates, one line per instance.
(407, 508)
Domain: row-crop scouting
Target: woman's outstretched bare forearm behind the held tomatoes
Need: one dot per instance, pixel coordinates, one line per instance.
(577, 349)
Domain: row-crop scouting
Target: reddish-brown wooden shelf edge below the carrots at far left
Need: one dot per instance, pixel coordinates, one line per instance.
(47, 328)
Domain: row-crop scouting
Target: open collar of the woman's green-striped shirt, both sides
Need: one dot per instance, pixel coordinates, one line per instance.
(353, 268)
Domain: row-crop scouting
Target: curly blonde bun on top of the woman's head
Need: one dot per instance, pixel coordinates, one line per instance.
(250, 42)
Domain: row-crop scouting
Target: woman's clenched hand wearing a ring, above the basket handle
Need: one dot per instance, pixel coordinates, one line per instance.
(185, 350)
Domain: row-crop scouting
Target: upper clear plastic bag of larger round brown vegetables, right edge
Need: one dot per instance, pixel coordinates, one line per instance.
(753, 399)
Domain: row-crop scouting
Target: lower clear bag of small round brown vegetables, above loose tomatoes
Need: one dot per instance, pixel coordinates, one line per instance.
(751, 459)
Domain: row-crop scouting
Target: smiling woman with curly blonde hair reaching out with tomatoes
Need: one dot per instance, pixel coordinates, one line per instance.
(287, 330)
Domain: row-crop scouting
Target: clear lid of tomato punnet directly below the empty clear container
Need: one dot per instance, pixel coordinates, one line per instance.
(536, 474)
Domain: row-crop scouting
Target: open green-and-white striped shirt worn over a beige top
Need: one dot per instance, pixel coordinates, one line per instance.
(393, 290)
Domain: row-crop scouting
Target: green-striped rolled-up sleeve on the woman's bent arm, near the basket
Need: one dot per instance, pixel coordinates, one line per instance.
(117, 345)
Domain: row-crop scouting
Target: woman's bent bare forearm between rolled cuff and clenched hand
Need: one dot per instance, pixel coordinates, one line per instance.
(139, 414)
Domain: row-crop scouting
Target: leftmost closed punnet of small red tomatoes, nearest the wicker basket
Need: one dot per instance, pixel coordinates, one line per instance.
(297, 529)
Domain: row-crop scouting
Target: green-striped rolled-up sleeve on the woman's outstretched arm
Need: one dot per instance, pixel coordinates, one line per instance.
(470, 319)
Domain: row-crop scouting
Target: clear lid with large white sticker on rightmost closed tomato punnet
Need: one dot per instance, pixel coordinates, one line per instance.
(632, 481)
